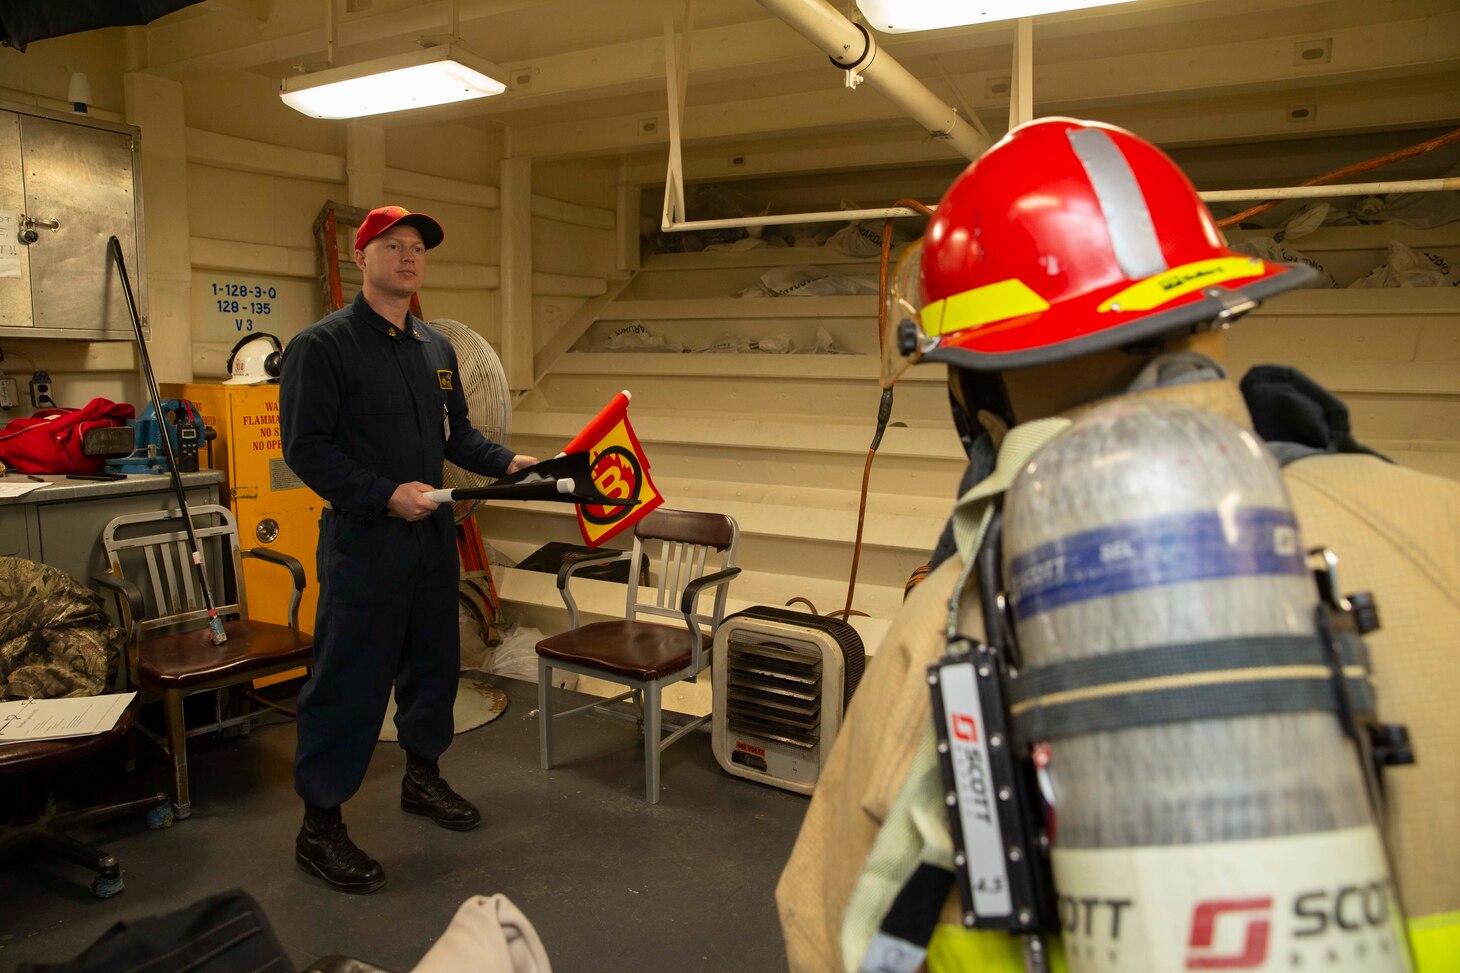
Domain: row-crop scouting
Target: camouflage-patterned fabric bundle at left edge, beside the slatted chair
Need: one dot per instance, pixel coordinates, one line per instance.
(55, 636)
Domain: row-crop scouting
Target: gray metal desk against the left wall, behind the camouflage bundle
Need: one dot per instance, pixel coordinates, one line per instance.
(61, 524)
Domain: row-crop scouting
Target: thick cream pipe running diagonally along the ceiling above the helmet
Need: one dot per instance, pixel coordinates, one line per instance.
(856, 52)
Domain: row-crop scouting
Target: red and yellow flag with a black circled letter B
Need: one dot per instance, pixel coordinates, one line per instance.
(620, 470)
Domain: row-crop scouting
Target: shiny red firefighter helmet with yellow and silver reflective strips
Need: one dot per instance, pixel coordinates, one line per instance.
(1067, 239)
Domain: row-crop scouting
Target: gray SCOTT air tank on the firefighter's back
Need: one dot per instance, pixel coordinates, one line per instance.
(1210, 812)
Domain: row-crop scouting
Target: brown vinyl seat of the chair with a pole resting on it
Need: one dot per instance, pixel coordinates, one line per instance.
(189, 661)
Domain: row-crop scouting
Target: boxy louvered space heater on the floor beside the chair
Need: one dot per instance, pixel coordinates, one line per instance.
(782, 684)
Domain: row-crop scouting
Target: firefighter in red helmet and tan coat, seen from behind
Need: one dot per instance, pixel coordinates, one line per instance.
(1074, 267)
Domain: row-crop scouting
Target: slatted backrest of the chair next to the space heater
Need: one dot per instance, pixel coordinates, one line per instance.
(683, 547)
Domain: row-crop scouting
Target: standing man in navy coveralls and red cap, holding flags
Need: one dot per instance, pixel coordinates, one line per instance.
(370, 407)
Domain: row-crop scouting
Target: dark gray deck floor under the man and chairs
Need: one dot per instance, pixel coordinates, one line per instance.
(610, 882)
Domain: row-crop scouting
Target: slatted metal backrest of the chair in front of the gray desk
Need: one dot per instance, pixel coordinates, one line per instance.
(153, 552)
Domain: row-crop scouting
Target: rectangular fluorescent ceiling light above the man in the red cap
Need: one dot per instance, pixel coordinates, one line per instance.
(418, 80)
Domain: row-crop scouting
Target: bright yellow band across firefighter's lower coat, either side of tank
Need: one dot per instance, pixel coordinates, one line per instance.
(1434, 942)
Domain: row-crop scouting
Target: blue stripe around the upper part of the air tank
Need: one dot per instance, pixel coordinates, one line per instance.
(1141, 554)
